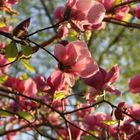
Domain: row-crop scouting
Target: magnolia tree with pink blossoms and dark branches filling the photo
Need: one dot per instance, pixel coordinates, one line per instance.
(74, 101)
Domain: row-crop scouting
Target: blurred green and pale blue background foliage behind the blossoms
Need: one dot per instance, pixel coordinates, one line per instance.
(113, 45)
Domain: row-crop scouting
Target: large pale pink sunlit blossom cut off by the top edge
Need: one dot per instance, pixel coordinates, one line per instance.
(81, 13)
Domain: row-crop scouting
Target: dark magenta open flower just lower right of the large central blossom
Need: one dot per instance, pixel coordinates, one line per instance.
(103, 80)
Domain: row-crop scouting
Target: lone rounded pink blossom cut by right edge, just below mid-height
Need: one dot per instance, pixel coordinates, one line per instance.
(134, 84)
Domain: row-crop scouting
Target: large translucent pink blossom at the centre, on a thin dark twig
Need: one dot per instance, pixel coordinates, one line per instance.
(76, 59)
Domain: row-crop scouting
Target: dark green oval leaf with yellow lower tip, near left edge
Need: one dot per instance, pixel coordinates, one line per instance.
(11, 51)
